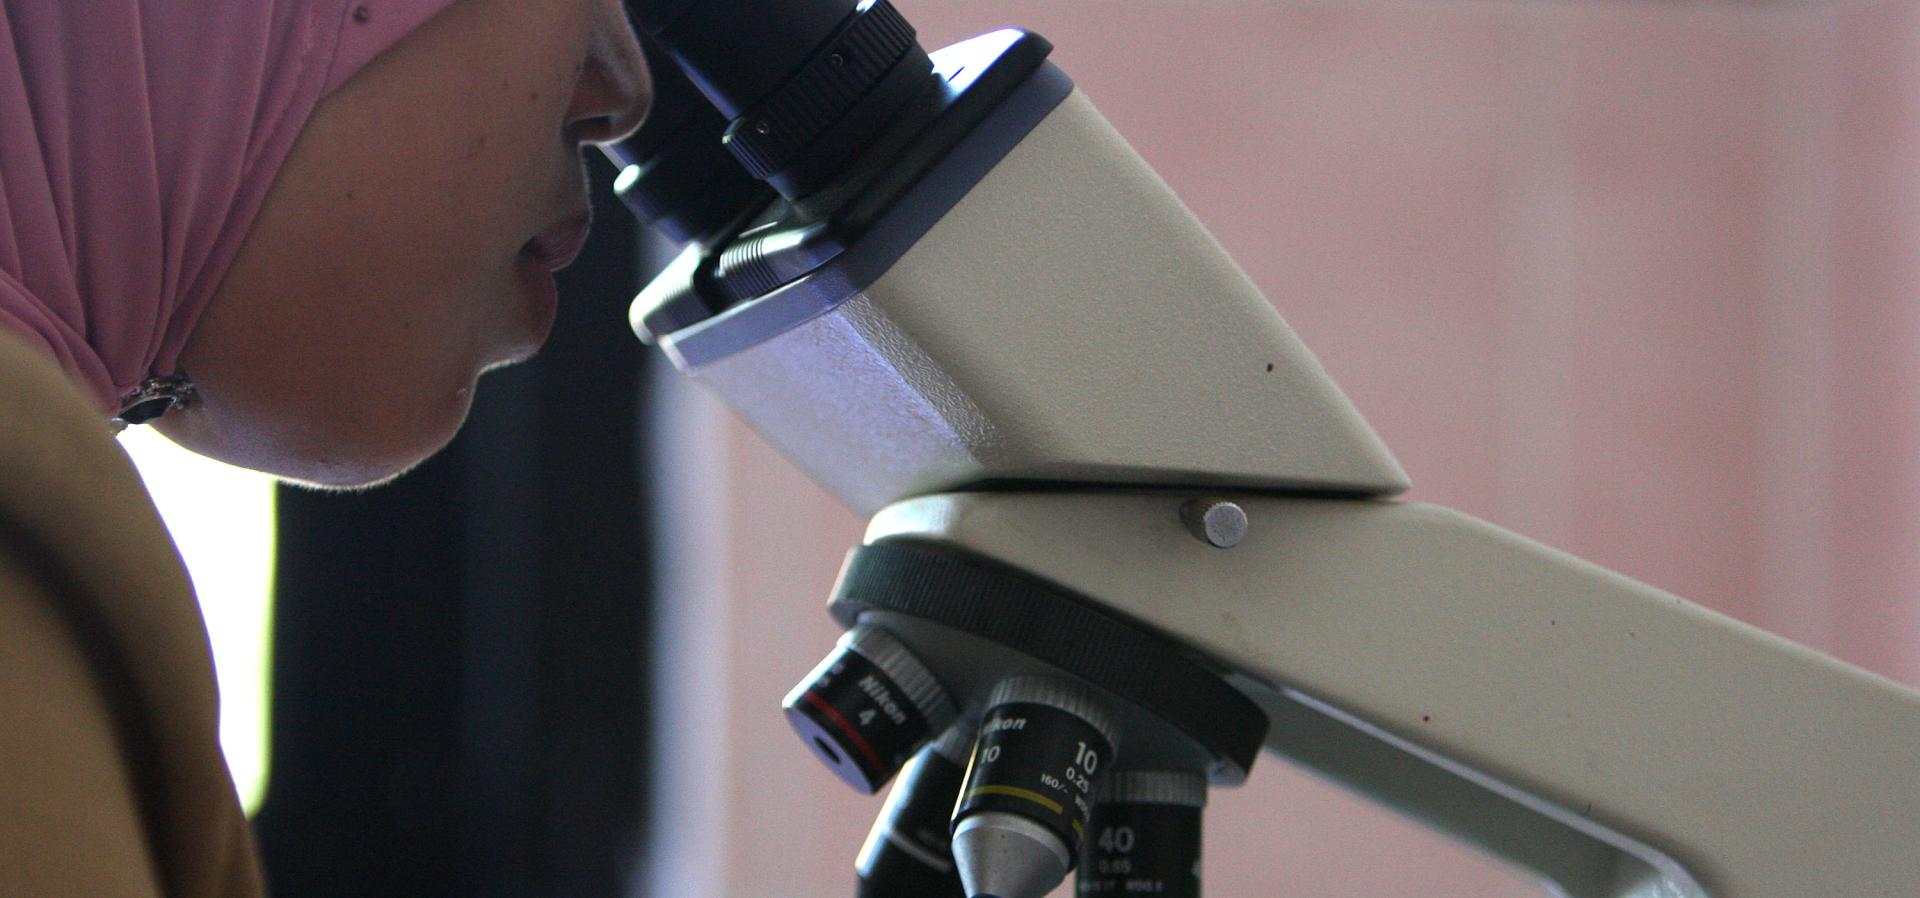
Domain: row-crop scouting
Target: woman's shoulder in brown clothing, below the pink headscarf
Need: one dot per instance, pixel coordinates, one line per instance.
(107, 678)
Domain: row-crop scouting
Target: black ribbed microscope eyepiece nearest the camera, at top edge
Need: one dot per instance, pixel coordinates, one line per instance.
(805, 85)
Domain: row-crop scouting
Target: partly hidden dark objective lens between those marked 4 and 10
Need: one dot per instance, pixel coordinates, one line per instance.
(909, 855)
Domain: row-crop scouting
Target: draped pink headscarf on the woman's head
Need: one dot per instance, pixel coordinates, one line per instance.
(137, 145)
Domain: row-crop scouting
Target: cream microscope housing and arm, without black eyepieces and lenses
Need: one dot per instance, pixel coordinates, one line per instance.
(1057, 364)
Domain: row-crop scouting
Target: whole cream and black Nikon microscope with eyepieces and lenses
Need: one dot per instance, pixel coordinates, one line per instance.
(1128, 534)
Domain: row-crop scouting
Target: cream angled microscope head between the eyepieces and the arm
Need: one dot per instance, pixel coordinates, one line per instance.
(1003, 293)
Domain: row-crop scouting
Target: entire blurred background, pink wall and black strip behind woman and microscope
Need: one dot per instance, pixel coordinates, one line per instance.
(1631, 279)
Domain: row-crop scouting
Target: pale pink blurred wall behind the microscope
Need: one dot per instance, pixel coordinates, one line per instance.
(1631, 279)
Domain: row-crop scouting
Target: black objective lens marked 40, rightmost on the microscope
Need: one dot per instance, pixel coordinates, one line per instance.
(1145, 836)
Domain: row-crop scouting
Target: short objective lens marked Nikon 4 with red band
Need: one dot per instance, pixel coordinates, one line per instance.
(869, 707)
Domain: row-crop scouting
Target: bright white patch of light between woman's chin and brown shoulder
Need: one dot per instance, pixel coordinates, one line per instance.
(222, 519)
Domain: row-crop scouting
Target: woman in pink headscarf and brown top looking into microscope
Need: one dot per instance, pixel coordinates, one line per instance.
(291, 233)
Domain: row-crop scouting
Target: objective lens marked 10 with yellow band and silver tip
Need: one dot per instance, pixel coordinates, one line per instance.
(1028, 797)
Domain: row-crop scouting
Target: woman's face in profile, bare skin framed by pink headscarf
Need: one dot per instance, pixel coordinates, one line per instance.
(408, 245)
